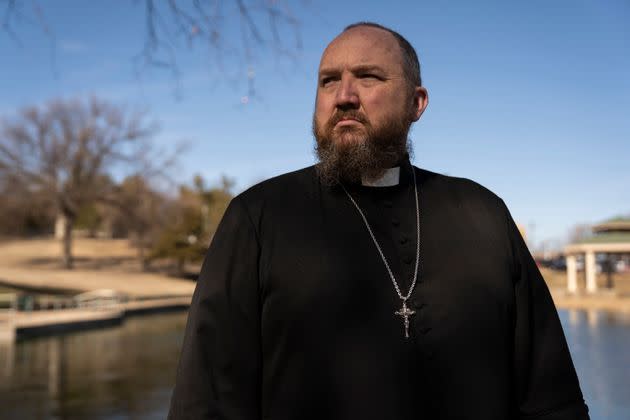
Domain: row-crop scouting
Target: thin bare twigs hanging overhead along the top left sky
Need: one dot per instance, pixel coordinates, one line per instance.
(261, 25)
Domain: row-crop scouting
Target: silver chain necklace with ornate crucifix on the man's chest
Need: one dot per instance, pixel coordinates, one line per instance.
(405, 313)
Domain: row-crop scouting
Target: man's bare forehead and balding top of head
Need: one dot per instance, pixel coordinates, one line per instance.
(363, 46)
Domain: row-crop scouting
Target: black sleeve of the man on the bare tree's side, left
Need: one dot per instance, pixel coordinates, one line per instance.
(220, 364)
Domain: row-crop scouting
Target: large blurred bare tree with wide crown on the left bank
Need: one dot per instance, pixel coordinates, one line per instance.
(65, 147)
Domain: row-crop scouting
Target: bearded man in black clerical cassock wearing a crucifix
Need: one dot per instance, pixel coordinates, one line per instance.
(366, 288)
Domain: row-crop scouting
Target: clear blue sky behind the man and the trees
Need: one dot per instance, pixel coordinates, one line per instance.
(530, 99)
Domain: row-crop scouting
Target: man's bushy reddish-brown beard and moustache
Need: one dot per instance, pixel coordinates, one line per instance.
(350, 153)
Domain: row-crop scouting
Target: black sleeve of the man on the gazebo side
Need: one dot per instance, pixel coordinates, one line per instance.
(546, 383)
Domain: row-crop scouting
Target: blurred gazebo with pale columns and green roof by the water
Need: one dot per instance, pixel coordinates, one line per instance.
(610, 237)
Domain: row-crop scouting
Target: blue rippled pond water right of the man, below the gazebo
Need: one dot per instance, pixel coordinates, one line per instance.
(600, 346)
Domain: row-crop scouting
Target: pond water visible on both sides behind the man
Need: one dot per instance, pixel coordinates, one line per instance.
(127, 372)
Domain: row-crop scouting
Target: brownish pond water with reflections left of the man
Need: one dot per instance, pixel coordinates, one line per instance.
(126, 371)
